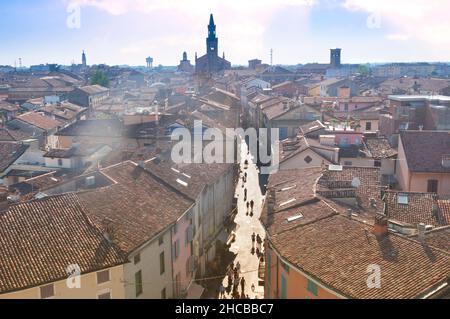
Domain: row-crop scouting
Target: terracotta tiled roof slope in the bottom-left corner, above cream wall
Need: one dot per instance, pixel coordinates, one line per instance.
(41, 238)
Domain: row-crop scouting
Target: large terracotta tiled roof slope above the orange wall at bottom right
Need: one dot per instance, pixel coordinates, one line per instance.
(337, 251)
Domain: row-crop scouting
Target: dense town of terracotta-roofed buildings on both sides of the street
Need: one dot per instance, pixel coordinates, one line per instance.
(88, 186)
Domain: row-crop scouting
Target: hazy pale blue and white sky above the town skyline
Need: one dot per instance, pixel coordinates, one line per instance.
(299, 31)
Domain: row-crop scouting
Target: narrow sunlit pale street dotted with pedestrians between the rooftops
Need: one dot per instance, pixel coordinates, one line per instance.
(246, 225)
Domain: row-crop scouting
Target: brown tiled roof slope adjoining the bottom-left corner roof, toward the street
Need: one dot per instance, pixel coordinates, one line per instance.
(137, 208)
